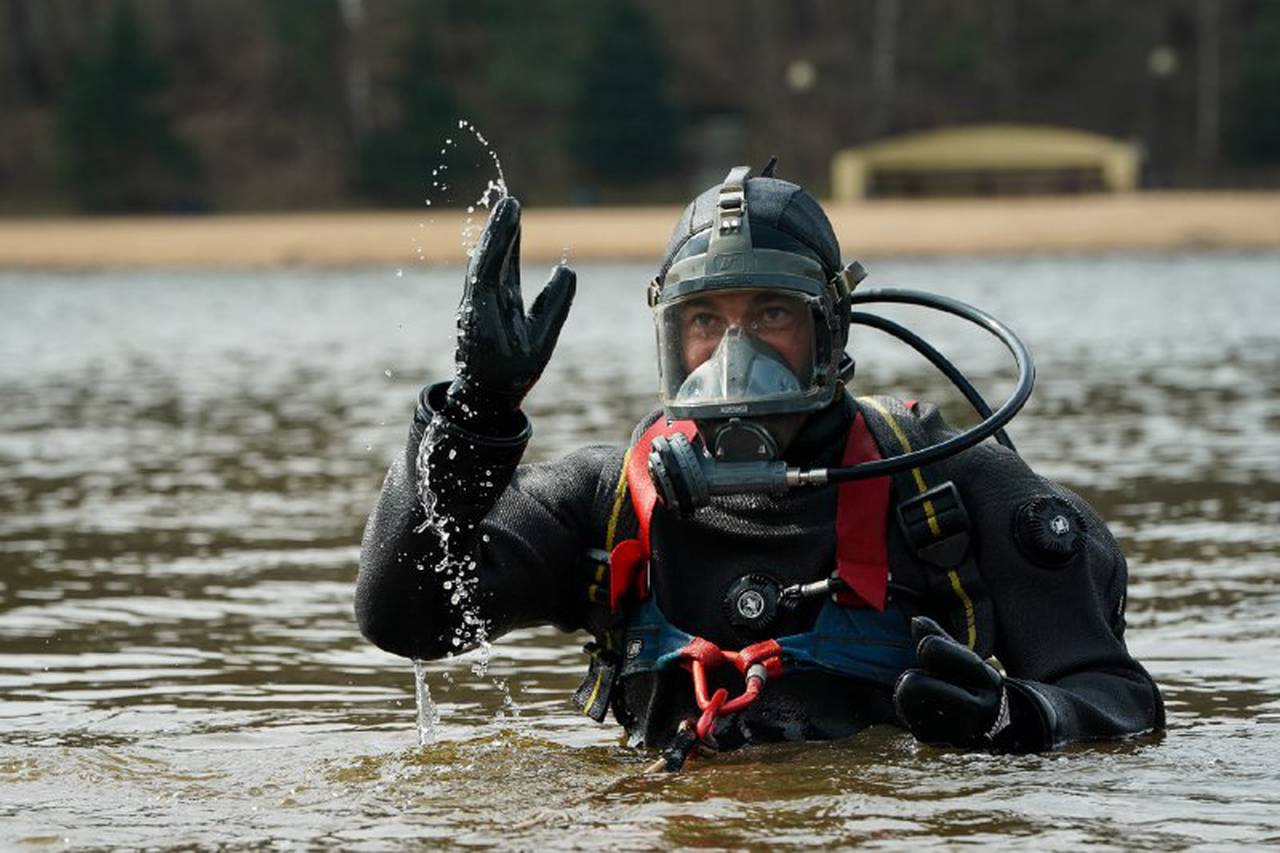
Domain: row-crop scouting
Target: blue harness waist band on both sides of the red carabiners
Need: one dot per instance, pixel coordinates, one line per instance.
(860, 644)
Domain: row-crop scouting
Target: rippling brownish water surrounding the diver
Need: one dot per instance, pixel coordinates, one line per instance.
(186, 464)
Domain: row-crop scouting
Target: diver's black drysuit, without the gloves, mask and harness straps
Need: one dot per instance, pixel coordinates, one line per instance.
(516, 544)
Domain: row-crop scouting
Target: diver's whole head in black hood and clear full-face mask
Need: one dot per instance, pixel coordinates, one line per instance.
(752, 316)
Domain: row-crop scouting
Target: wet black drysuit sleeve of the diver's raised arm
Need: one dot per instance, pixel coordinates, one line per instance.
(501, 549)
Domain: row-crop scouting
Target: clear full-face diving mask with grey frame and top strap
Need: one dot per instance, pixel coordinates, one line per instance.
(747, 334)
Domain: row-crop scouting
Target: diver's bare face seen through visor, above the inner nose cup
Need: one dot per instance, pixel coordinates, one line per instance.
(778, 320)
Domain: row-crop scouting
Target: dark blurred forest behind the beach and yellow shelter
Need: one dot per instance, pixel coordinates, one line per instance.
(132, 106)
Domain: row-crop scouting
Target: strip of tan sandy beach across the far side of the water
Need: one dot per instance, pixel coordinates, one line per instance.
(1149, 222)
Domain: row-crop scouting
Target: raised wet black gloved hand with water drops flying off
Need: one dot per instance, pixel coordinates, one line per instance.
(502, 352)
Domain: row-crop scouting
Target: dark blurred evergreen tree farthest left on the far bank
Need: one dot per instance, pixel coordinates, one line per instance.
(118, 144)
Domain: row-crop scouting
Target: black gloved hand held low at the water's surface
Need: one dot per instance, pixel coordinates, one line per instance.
(954, 697)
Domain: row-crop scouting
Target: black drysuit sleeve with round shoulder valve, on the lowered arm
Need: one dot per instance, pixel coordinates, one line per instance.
(1059, 617)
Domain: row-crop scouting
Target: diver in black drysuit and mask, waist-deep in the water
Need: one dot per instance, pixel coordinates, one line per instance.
(739, 591)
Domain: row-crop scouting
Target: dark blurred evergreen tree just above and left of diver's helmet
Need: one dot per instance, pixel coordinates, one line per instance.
(623, 126)
